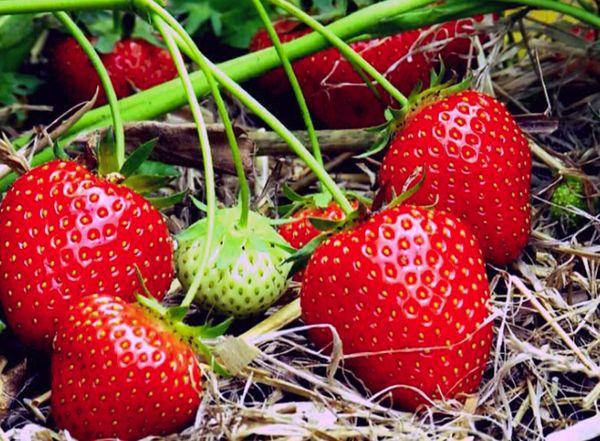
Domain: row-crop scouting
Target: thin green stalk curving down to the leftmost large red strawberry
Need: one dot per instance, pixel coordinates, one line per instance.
(111, 95)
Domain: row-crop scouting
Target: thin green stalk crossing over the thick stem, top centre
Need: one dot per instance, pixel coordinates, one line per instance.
(293, 79)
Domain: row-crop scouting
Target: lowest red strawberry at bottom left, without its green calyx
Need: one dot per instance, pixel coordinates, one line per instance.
(119, 373)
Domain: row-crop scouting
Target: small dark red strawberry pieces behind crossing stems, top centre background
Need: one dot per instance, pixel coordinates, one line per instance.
(276, 81)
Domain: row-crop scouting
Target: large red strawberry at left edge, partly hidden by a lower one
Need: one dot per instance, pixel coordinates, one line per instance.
(66, 233)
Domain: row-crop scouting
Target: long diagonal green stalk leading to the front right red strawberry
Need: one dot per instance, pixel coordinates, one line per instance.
(189, 46)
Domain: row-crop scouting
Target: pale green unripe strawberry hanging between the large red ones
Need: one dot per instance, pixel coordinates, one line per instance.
(247, 270)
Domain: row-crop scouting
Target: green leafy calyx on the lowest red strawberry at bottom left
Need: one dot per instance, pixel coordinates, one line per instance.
(195, 336)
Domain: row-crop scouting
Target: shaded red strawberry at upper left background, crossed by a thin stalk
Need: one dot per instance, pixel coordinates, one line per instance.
(133, 64)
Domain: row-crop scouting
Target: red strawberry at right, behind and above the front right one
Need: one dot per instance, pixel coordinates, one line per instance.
(478, 167)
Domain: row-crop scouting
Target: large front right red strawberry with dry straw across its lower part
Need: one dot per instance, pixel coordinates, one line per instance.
(407, 293)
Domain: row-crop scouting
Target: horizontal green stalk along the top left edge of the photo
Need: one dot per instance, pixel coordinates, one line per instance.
(34, 6)
